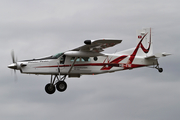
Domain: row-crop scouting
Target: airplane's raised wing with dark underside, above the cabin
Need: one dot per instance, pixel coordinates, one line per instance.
(97, 45)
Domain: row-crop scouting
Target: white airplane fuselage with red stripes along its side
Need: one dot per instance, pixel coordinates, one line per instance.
(84, 65)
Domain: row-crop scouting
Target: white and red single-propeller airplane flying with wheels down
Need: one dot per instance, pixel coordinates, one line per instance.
(89, 60)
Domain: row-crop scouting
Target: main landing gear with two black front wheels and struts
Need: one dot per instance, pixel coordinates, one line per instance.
(56, 83)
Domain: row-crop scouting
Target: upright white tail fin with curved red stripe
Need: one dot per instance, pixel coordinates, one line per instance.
(144, 40)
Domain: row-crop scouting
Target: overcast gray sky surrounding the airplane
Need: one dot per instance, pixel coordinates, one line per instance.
(36, 28)
